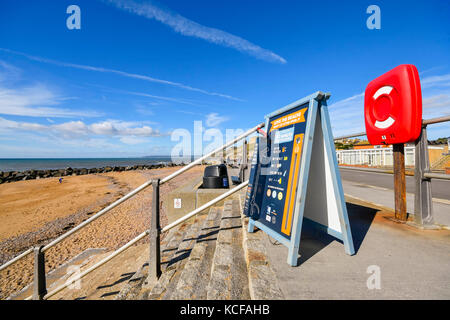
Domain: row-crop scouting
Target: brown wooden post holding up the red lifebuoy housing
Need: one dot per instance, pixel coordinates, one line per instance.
(399, 182)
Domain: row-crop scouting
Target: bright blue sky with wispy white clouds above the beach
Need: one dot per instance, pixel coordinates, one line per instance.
(138, 70)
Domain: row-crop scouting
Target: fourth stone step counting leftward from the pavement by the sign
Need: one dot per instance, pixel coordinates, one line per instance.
(169, 278)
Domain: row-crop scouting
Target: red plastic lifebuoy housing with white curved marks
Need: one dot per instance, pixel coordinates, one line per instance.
(393, 106)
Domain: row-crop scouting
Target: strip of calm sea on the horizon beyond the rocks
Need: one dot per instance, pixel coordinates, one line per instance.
(44, 164)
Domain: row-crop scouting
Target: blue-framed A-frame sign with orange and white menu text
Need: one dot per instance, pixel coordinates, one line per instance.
(295, 178)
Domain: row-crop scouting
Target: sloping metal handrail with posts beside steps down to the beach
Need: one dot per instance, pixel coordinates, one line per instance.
(40, 291)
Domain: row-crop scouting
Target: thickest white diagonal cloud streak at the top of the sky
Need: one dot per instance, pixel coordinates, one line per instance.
(191, 28)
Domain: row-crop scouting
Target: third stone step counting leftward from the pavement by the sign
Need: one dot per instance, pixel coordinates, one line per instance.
(194, 278)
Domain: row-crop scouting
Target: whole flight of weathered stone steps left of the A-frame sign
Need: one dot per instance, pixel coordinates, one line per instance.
(210, 256)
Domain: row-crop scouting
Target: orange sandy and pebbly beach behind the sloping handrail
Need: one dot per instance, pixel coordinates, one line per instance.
(36, 211)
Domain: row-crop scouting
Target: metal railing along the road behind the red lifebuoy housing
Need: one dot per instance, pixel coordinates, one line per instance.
(423, 204)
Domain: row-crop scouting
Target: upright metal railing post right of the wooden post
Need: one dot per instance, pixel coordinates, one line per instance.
(423, 204)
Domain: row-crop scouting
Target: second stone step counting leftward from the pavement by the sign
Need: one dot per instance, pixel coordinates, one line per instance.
(228, 278)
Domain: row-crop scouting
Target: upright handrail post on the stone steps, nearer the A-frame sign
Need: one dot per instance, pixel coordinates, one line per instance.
(155, 232)
